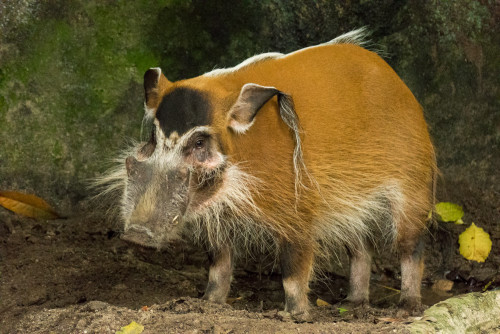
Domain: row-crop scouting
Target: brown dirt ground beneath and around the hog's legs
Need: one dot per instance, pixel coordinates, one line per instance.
(75, 276)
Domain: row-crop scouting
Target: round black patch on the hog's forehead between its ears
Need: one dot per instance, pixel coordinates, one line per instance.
(183, 109)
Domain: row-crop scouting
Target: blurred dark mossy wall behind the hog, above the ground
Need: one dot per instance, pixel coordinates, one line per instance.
(71, 73)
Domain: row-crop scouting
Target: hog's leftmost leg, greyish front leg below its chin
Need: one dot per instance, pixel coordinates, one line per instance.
(219, 274)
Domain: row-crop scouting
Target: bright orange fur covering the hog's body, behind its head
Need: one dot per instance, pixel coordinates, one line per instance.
(361, 129)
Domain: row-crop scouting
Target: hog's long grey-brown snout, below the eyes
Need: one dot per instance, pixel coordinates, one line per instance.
(155, 201)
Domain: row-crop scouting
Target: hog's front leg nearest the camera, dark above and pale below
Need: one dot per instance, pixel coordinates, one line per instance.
(296, 268)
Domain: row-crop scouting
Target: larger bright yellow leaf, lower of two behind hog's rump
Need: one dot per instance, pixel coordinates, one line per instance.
(475, 244)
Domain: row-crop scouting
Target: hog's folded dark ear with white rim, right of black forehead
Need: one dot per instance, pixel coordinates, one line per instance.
(252, 97)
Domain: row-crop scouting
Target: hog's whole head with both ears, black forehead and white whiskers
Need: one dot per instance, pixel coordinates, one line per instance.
(183, 171)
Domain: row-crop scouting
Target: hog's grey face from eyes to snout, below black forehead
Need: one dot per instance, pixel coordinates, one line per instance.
(161, 188)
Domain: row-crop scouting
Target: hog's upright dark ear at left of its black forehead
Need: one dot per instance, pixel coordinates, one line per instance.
(154, 84)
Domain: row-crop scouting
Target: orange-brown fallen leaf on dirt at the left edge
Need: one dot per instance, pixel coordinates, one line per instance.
(27, 205)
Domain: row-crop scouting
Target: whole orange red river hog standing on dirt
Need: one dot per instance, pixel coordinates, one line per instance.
(300, 154)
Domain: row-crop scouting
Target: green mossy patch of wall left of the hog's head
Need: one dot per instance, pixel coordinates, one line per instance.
(62, 94)
